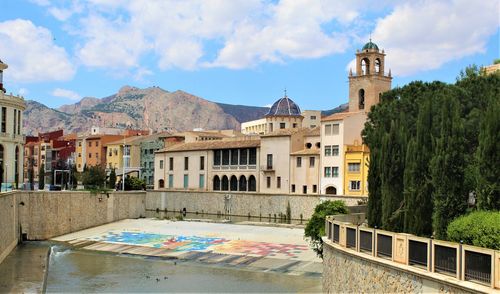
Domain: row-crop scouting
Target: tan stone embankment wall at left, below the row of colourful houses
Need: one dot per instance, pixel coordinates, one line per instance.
(48, 214)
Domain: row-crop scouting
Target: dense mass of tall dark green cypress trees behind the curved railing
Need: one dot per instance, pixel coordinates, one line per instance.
(433, 144)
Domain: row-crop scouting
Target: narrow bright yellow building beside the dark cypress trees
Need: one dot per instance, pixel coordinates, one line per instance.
(356, 159)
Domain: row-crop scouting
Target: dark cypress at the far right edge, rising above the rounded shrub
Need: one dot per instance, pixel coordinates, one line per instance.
(488, 159)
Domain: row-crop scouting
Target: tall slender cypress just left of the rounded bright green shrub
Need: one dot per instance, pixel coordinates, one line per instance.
(447, 168)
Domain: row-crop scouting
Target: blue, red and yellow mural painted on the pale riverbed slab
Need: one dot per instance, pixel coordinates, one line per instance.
(197, 243)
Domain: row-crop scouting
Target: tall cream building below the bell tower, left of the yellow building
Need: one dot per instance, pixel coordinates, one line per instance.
(337, 130)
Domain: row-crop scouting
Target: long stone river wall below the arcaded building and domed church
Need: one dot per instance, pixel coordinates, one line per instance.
(237, 203)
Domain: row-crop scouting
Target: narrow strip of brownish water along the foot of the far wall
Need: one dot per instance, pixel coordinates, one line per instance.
(228, 218)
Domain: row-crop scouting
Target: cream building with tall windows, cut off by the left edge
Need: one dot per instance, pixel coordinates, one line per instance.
(11, 136)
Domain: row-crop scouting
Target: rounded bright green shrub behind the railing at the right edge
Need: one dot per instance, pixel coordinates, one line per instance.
(480, 228)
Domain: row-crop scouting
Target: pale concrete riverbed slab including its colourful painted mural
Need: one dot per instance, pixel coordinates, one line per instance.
(249, 246)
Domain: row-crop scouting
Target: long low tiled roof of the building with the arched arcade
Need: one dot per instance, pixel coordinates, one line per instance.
(210, 145)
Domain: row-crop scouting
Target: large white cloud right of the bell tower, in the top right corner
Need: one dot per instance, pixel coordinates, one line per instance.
(423, 35)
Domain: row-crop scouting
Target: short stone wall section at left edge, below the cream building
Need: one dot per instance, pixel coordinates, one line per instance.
(8, 224)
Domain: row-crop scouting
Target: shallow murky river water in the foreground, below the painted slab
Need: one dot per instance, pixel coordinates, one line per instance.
(88, 271)
